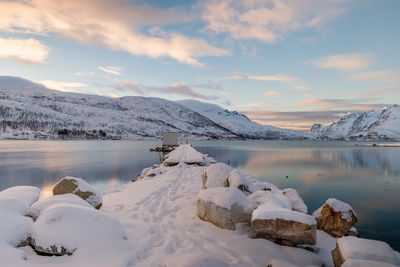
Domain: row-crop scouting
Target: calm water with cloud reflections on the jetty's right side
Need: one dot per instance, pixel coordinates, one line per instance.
(366, 177)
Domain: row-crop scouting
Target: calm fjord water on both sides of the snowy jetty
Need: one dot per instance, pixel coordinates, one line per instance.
(368, 178)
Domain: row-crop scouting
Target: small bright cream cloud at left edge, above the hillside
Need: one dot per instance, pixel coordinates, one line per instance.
(24, 50)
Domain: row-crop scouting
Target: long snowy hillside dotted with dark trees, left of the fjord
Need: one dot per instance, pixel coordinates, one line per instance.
(29, 110)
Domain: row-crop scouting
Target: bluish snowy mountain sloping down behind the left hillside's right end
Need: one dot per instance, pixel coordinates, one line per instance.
(240, 124)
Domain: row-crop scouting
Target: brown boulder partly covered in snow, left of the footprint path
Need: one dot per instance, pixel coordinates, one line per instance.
(80, 188)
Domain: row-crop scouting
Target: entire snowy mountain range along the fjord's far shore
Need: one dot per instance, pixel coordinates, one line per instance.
(29, 110)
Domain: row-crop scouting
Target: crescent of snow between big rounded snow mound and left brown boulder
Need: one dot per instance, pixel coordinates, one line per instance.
(44, 203)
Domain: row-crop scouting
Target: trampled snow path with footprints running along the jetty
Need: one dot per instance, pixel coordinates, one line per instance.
(159, 215)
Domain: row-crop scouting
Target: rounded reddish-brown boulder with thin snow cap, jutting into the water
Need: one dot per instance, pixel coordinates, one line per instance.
(335, 217)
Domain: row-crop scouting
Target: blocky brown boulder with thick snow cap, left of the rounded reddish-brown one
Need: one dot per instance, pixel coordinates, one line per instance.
(283, 226)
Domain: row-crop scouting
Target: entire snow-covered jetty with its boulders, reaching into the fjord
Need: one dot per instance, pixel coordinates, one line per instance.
(188, 211)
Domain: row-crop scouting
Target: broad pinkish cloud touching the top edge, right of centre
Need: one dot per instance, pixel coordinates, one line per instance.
(268, 21)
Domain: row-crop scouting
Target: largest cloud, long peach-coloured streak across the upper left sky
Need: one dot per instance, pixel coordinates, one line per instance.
(115, 24)
